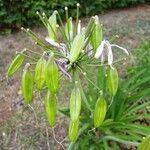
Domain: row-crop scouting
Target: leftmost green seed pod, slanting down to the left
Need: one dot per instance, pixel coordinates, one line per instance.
(15, 65)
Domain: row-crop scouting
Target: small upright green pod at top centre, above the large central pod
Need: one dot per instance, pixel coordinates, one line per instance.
(69, 29)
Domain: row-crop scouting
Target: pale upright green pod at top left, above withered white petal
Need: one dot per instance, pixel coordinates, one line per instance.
(52, 29)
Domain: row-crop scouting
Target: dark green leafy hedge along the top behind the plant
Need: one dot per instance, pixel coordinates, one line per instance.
(16, 13)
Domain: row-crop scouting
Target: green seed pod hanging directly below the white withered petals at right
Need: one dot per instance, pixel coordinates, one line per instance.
(112, 81)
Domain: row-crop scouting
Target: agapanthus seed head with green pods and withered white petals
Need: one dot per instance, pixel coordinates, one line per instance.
(67, 51)
